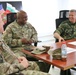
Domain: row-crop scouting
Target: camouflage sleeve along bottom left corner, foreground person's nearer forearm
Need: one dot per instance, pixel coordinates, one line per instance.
(6, 68)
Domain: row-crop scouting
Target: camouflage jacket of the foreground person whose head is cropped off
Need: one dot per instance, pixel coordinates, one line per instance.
(8, 60)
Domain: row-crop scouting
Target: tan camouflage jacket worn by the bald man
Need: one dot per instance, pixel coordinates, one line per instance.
(14, 32)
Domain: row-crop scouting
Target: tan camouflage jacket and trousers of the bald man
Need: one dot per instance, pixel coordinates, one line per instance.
(13, 35)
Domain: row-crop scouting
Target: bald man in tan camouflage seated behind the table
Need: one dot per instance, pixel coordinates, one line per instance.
(20, 35)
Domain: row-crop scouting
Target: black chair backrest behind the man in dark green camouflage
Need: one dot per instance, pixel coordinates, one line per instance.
(63, 15)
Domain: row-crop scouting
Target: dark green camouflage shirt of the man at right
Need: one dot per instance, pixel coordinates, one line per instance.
(67, 30)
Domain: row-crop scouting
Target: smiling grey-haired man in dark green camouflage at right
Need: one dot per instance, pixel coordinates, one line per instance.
(67, 29)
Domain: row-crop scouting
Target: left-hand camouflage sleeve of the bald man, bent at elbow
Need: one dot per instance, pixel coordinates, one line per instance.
(8, 38)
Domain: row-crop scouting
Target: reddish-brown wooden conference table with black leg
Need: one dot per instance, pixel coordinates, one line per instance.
(64, 66)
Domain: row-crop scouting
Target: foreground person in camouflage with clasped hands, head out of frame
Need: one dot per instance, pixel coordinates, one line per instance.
(10, 64)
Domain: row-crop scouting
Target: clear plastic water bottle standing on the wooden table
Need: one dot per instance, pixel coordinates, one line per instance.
(64, 51)
